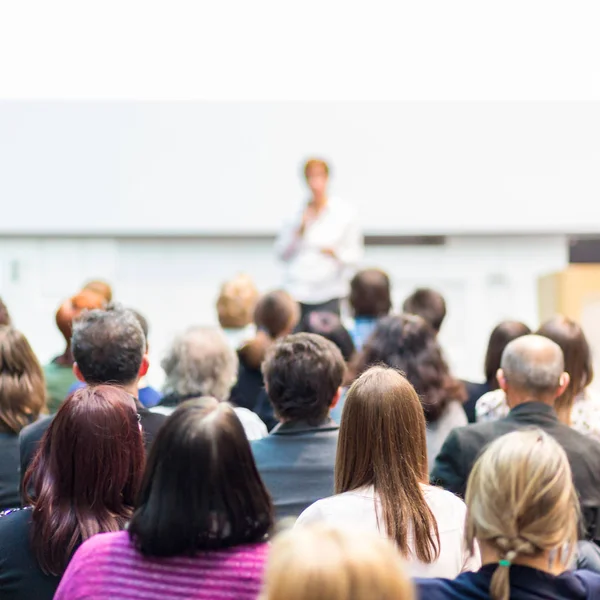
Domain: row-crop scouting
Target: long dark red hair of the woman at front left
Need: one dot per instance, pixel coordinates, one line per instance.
(86, 473)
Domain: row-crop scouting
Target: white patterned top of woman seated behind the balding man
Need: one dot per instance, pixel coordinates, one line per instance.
(585, 414)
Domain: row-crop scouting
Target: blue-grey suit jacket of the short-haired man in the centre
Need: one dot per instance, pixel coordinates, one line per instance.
(296, 463)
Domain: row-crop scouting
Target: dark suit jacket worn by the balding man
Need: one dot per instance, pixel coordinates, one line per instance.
(462, 447)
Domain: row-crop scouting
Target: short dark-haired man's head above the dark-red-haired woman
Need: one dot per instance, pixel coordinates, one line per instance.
(108, 346)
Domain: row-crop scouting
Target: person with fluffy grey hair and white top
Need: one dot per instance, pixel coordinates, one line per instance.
(200, 362)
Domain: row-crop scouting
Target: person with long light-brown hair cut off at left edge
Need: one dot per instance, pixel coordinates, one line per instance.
(22, 399)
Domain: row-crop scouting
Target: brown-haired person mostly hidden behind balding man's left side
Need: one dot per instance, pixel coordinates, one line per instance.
(505, 332)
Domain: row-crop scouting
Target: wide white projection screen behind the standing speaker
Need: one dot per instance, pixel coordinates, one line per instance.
(195, 168)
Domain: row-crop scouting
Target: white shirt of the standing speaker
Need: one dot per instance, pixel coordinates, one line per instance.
(311, 276)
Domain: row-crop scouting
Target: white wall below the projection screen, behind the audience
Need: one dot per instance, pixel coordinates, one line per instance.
(174, 282)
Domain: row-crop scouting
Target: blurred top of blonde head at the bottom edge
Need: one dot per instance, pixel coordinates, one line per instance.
(321, 562)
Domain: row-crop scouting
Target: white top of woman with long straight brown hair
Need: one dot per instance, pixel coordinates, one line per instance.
(356, 510)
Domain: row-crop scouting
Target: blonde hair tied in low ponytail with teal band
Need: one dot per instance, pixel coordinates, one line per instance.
(521, 502)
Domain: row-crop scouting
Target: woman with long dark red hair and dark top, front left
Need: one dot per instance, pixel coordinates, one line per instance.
(85, 478)
